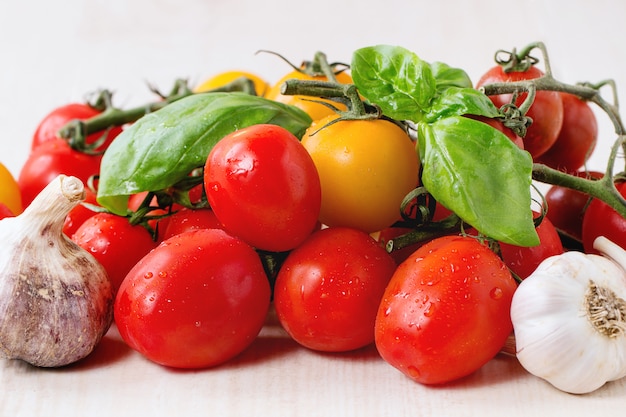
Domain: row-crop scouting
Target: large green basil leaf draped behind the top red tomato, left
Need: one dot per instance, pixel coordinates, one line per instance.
(163, 147)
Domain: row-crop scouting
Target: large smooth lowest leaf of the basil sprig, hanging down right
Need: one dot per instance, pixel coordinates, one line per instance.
(477, 172)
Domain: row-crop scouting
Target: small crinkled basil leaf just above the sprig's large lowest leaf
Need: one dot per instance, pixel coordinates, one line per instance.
(455, 101)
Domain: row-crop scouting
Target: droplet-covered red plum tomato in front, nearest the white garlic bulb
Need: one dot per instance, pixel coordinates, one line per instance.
(445, 312)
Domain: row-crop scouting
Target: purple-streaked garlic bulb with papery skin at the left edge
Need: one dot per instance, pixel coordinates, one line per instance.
(56, 300)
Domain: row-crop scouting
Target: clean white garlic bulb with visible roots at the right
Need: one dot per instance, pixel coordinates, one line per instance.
(569, 319)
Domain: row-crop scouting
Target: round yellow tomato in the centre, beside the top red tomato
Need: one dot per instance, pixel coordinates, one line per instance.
(366, 168)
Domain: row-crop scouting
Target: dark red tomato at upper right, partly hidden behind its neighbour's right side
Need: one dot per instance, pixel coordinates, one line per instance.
(577, 138)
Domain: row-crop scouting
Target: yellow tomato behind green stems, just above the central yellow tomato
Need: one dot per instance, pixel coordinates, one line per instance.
(317, 111)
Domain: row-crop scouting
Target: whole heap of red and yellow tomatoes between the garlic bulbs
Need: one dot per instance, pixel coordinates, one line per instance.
(193, 291)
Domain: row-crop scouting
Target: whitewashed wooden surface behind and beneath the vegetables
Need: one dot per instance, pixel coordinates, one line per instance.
(56, 52)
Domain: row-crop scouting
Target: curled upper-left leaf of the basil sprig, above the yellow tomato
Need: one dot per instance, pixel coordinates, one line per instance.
(395, 79)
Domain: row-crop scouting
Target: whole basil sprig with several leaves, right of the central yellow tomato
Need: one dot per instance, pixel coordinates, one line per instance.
(470, 167)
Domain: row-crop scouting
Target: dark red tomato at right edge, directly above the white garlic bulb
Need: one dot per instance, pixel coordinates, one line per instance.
(602, 220)
